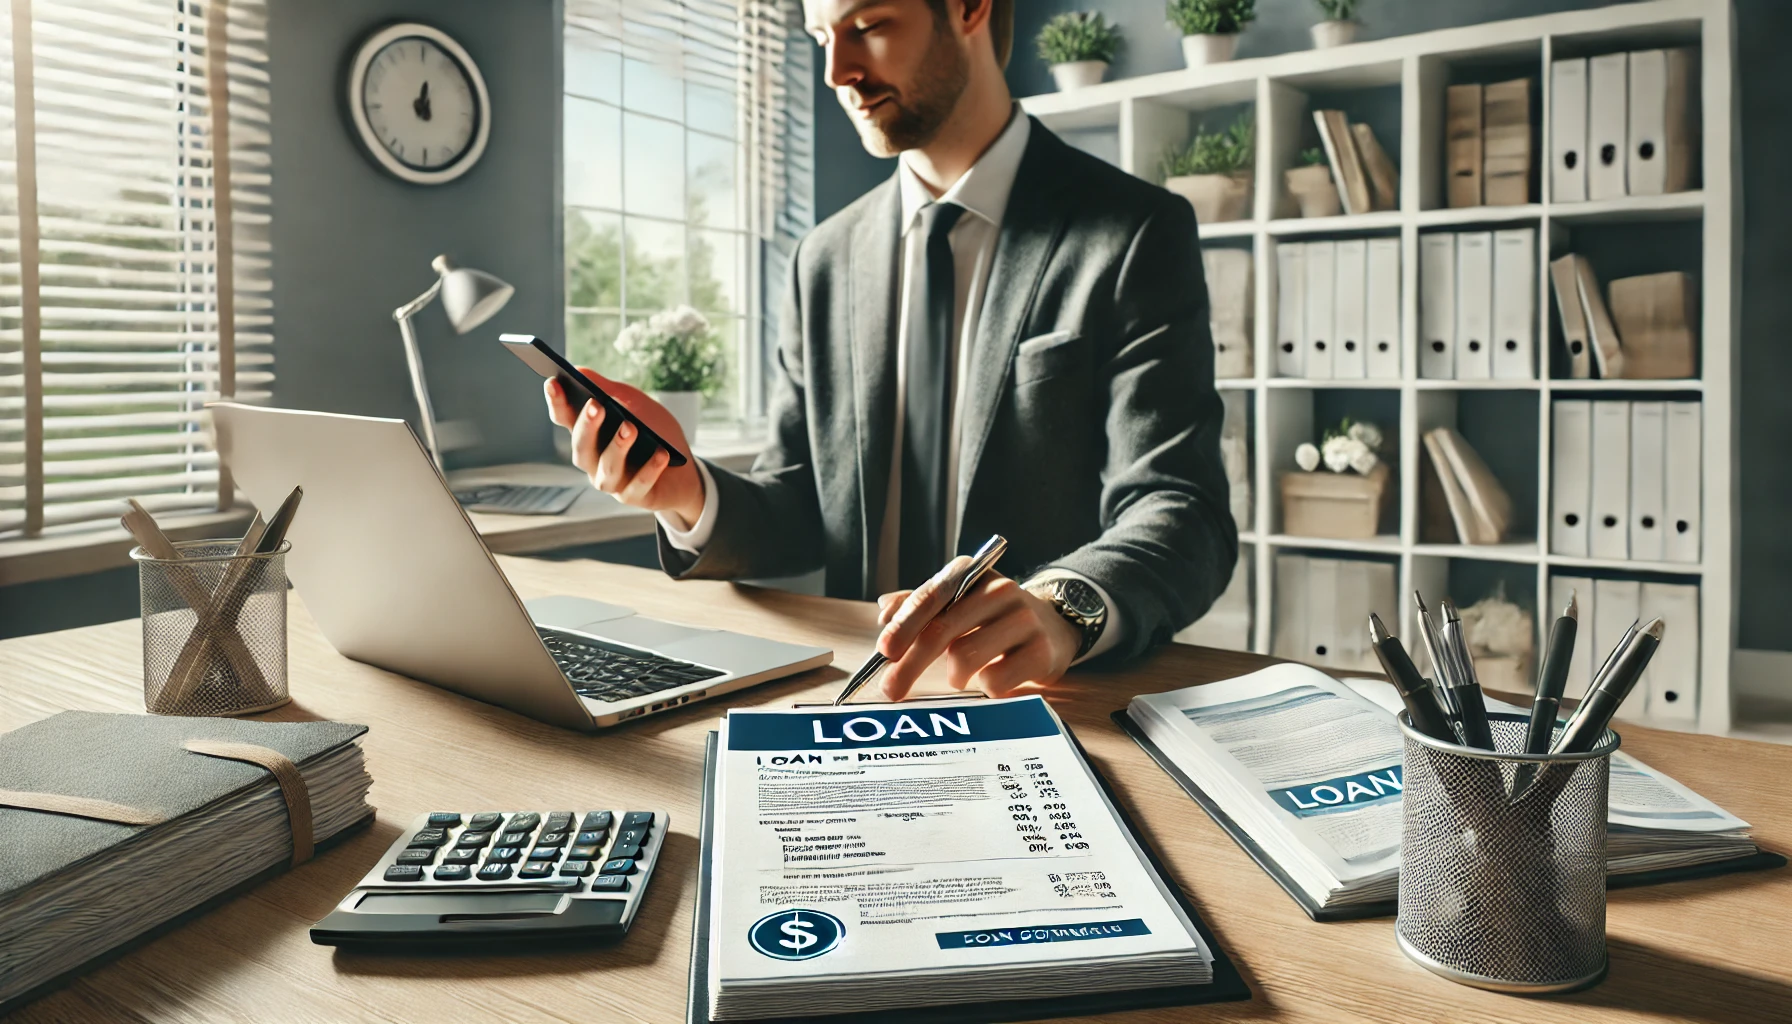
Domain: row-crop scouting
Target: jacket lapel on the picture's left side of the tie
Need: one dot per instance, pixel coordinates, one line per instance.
(874, 329)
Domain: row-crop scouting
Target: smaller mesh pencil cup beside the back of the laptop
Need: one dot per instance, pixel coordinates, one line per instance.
(214, 630)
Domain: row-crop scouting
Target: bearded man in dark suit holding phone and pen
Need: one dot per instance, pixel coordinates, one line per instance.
(1008, 336)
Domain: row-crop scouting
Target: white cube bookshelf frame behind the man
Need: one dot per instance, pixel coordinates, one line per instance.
(1135, 121)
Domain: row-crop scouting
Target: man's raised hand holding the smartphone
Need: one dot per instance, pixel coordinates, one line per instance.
(653, 487)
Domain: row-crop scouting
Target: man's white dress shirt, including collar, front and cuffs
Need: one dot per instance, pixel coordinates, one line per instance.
(983, 193)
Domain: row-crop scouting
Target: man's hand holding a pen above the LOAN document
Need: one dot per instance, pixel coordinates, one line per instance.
(997, 636)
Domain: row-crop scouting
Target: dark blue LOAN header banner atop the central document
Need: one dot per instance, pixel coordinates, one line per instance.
(913, 725)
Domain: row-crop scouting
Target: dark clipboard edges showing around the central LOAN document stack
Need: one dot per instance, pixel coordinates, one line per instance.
(1227, 987)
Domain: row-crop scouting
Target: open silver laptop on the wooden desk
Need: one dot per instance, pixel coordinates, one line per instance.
(397, 577)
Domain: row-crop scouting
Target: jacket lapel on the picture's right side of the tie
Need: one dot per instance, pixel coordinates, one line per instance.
(1031, 229)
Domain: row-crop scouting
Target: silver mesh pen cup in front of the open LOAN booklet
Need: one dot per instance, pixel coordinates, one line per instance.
(1503, 862)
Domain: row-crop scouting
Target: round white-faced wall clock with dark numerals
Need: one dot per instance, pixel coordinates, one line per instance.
(418, 103)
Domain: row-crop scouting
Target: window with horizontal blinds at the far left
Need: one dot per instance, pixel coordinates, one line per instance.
(135, 277)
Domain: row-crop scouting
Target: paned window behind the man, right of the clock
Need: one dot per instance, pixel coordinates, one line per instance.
(687, 173)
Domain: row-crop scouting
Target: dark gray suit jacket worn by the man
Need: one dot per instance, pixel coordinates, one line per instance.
(1090, 430)
